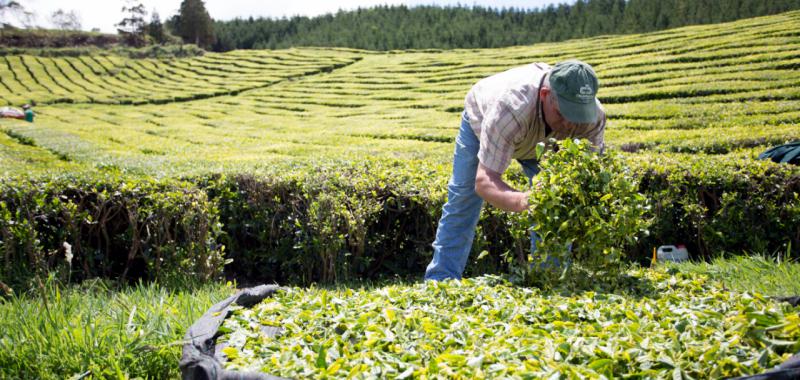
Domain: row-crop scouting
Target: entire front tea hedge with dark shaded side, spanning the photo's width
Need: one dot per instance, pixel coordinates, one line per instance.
(341, 220)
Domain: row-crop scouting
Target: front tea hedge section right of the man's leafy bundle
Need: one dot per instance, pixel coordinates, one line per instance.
(721, 205)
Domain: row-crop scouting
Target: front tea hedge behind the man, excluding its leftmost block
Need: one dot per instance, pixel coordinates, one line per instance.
(339, 221)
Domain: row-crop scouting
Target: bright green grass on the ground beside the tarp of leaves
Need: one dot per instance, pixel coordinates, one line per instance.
(94, 330)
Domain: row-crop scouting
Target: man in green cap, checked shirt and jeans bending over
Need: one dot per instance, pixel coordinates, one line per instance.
(505, 116)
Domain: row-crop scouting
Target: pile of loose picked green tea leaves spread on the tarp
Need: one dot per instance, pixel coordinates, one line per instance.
(663, 325)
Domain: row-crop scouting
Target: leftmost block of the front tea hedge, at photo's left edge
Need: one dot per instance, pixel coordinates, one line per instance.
(83, 226)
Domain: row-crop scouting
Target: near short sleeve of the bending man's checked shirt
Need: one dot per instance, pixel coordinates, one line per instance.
(499, 129)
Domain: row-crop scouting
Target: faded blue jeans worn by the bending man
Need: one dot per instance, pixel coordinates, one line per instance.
(463, 208)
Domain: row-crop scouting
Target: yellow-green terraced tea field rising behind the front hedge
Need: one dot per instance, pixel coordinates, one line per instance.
(725, 90)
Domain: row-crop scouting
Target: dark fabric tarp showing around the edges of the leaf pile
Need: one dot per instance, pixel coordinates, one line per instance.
(200, 359)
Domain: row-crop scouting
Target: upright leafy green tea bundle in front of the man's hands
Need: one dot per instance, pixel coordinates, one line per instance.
(586, 208)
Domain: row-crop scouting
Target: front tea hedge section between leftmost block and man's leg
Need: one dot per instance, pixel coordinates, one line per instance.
(337, 221)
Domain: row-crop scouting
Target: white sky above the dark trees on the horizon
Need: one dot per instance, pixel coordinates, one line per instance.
(103, 14)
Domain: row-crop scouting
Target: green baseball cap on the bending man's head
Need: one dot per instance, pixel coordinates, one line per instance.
(575, 85)
